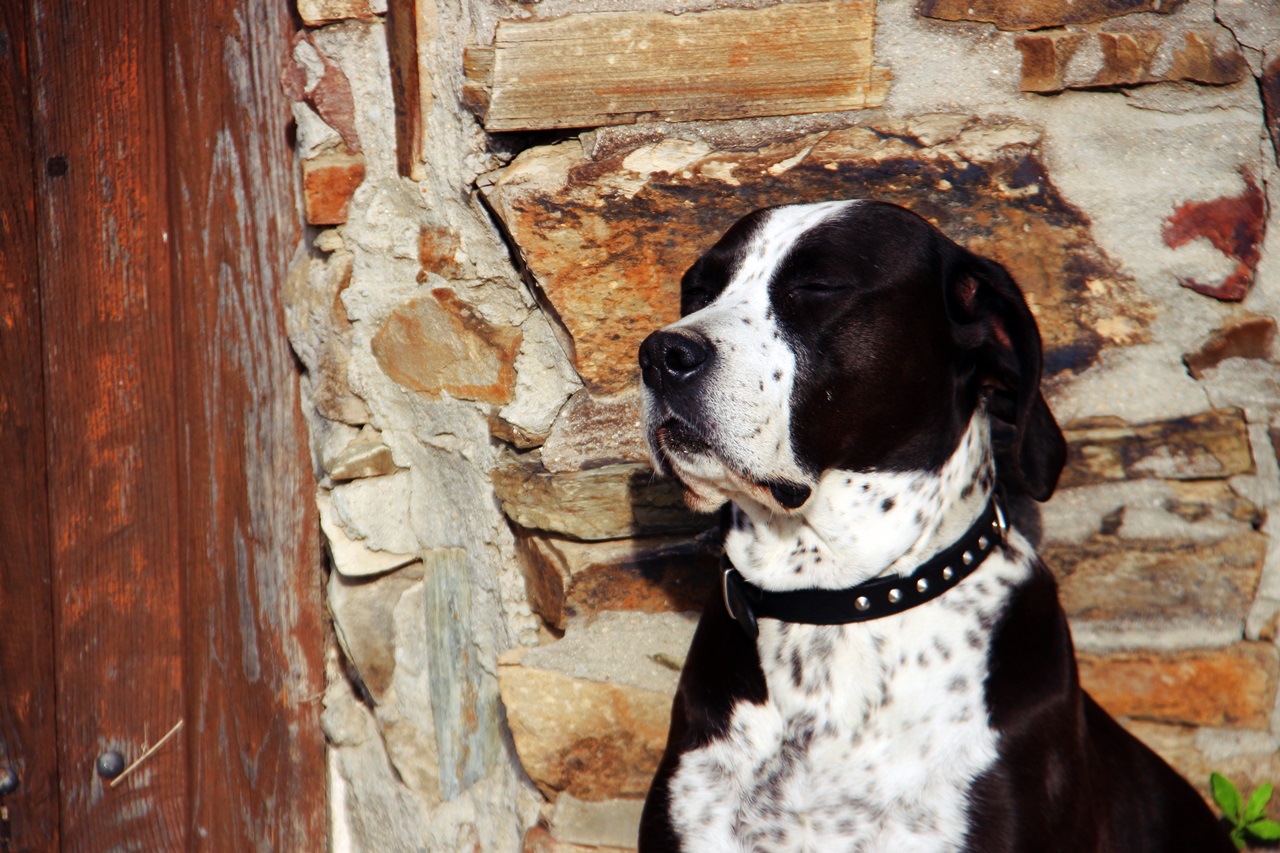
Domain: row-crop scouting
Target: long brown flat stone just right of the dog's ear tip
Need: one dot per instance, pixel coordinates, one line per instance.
(1214, 445)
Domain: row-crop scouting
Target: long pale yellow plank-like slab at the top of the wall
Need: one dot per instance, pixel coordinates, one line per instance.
(624, 67)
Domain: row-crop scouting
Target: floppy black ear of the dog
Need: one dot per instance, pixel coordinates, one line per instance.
(993, 323)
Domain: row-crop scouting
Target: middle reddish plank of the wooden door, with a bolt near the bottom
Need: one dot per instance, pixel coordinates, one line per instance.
(113, 476)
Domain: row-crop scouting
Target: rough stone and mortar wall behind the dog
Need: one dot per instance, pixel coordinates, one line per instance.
(513, 591)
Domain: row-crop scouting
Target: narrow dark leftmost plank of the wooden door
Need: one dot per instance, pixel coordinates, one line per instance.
(28, 745)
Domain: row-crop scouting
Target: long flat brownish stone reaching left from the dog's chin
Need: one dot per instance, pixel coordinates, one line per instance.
(611, 503)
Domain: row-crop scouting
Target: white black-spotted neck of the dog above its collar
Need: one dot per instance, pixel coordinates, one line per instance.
(862, 526)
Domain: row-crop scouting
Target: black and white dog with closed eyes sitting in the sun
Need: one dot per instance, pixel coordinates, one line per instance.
(890, 669)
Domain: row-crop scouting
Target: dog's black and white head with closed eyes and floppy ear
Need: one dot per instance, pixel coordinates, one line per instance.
(848, 335)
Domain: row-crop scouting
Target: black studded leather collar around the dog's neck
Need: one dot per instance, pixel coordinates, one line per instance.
(875, 599)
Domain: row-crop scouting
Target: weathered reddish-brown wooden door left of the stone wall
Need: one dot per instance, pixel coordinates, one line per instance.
(161, 548)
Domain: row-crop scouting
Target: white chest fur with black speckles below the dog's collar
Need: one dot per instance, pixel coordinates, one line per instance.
(871, 737)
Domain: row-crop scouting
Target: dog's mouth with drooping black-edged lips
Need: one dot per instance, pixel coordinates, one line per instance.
(710, 480)
